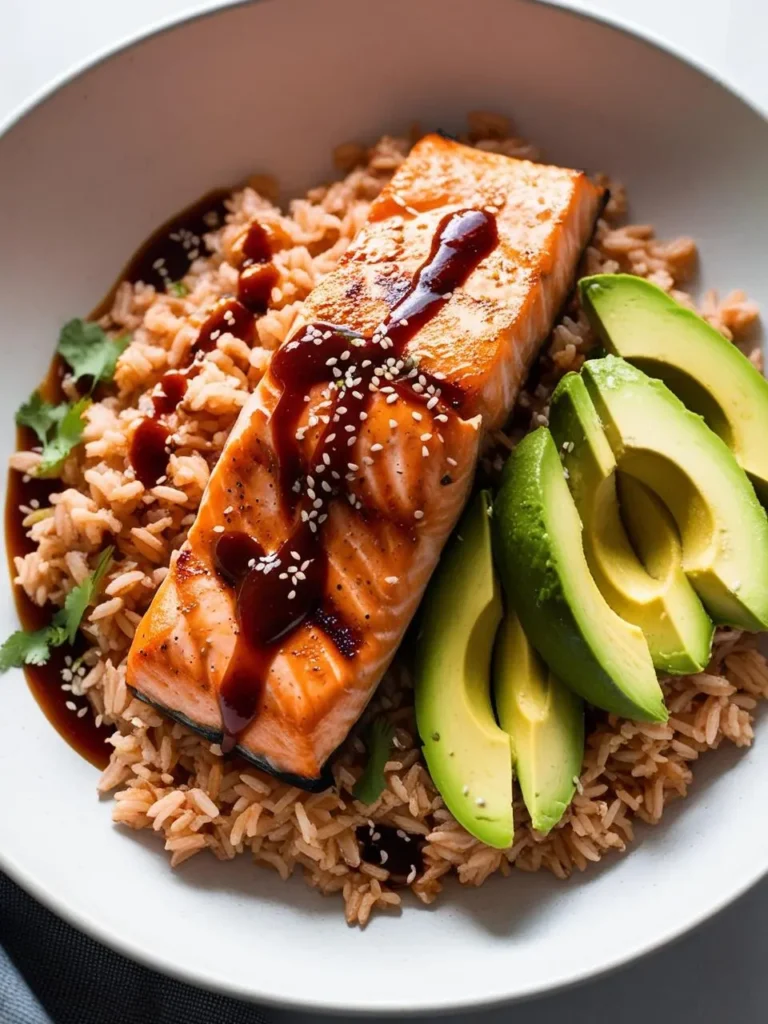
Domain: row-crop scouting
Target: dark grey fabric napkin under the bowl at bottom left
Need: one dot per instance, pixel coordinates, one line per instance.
(52, 974)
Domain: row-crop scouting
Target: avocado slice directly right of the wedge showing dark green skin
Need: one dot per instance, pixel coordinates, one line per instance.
(664, 605)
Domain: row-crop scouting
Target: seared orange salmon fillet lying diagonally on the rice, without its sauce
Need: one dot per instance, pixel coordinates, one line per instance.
(411, 460)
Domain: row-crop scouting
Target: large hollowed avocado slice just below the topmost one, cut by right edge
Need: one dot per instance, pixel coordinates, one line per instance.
(723, 528)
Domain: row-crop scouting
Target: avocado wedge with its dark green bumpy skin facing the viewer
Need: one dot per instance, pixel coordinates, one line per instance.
(544, 571)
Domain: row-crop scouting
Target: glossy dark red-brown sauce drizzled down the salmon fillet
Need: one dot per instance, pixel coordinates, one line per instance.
(279, 591)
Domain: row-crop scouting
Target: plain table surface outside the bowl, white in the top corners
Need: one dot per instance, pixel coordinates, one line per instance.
(718, 973)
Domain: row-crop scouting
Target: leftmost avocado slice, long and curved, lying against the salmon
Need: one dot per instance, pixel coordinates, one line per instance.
(468, 756)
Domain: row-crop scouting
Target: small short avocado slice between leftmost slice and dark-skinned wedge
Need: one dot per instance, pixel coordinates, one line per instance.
(545, 722)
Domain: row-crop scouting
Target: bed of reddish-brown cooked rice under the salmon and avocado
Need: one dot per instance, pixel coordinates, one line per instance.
(165, 778)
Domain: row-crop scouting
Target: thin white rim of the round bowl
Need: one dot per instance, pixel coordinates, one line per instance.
(296, 1001)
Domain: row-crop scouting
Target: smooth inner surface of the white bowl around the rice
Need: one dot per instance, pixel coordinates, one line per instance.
(87, 176)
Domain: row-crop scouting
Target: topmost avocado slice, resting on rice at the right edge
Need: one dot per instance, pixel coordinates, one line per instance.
(639, 322)
